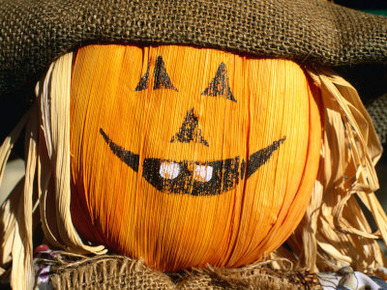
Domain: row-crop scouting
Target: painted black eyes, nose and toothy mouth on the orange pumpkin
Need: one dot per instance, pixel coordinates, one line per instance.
(191, 177)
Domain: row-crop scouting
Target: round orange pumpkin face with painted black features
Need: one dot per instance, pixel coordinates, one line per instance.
(188, 156)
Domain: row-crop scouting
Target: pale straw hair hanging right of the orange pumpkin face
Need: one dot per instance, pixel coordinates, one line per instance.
(349, 153)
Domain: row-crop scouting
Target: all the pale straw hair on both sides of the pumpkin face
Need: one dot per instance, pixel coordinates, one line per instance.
(342, 106)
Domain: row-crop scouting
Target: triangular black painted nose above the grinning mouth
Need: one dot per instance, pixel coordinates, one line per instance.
(189, 130)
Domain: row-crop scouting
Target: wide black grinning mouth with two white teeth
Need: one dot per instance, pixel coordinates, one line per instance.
(191, 177)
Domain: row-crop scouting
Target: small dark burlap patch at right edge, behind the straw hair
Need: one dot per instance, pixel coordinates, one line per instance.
(378, 113)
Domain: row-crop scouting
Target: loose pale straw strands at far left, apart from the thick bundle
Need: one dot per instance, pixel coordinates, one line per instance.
(16, 241)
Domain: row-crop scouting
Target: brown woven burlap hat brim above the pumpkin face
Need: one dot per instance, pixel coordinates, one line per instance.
(34, 33)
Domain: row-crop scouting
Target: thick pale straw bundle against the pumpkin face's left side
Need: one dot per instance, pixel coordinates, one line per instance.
(55, 109)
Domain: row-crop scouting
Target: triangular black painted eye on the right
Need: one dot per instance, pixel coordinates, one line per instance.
(219, 85)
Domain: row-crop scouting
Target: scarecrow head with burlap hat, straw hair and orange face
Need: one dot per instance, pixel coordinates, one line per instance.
(201, 134)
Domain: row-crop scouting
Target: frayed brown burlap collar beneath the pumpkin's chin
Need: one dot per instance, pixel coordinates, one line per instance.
(118, 272)
